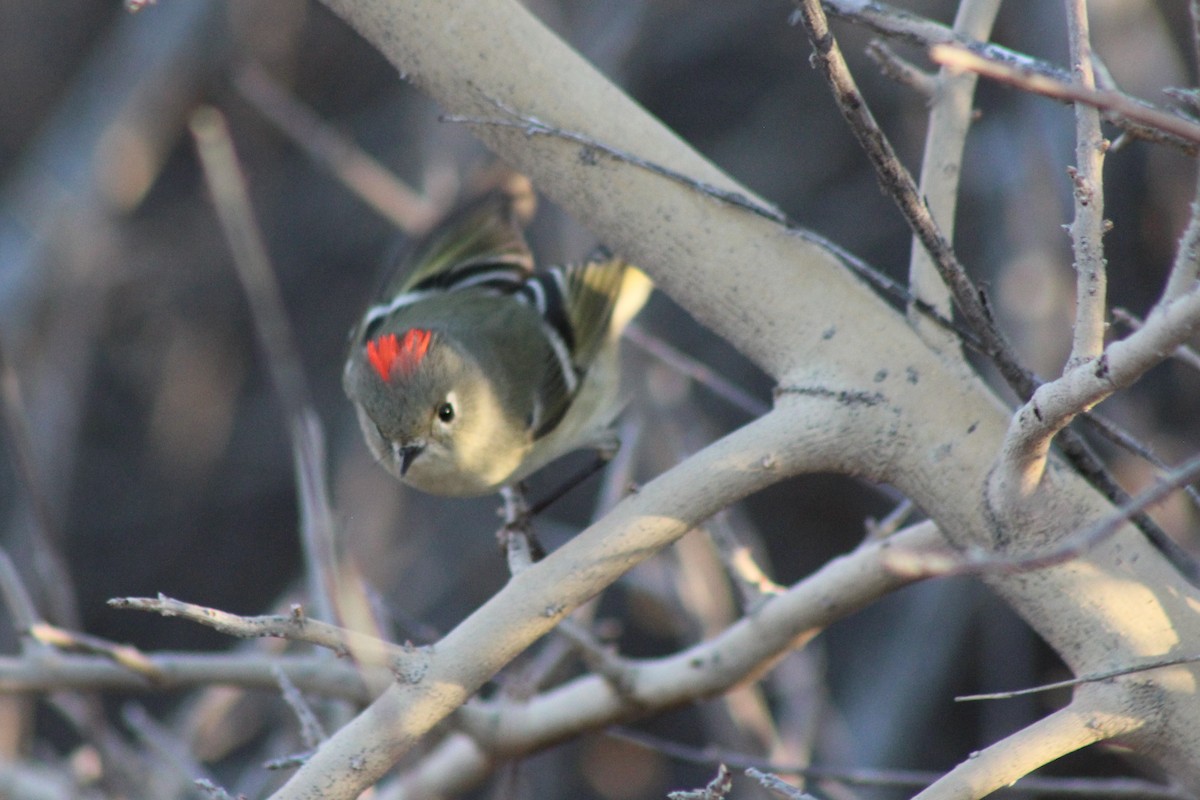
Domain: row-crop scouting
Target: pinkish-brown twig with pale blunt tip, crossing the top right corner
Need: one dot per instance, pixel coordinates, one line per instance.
(959, 58)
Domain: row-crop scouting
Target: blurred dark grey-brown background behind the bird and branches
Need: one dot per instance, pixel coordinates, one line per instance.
(161, 460)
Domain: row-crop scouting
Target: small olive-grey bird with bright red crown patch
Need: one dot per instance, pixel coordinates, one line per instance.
(473, 371)
